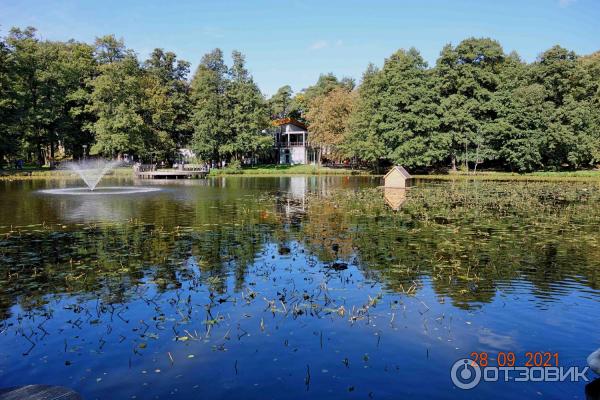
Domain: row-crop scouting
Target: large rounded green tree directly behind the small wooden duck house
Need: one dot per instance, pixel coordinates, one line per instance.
(397, 117)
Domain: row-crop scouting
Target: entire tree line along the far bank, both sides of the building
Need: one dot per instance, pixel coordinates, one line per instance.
(476, 105)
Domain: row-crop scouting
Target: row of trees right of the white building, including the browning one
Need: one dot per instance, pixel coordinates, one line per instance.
(476, 105)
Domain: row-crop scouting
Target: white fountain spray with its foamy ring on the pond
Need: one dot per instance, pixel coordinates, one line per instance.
(91, 172)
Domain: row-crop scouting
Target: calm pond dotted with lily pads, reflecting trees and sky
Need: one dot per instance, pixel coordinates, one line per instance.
(295, 287)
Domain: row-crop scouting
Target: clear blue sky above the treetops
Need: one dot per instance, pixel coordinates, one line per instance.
(292, 42)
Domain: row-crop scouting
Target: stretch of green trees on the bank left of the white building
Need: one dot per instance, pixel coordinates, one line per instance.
(100, 99)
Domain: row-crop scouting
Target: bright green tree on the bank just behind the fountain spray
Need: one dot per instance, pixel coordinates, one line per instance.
(132, 107)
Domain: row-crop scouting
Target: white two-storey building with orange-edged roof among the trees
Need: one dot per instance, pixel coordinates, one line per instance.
(291, 142)
